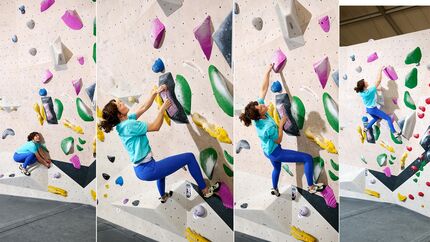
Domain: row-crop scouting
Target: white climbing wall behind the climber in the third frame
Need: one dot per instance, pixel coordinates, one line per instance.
(253, 51)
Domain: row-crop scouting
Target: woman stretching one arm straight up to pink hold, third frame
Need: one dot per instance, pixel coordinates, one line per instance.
(271, 136)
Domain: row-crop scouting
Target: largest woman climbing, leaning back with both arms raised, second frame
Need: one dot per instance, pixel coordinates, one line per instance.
(133, 136)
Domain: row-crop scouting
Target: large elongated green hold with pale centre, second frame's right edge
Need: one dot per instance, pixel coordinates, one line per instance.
(219, 87)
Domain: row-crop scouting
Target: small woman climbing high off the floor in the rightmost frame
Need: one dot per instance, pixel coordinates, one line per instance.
(369, 96)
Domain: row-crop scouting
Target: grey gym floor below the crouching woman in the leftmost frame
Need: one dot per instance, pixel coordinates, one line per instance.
(35, 220)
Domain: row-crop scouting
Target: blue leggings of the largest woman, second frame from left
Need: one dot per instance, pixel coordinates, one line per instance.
(158, 170)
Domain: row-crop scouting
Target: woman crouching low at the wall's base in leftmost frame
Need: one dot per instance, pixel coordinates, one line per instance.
(30, 152)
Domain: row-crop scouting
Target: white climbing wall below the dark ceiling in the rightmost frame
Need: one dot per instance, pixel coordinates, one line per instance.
(391, 51)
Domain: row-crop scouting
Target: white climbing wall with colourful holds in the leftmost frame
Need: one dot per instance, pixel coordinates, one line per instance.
(20, 83)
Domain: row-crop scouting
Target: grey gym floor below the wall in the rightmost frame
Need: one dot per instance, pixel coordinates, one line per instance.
(362, 220)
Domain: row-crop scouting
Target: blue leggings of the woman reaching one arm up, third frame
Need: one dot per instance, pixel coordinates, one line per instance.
(280, 155)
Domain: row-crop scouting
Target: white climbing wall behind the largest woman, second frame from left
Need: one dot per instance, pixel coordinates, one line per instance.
(126, 55)
